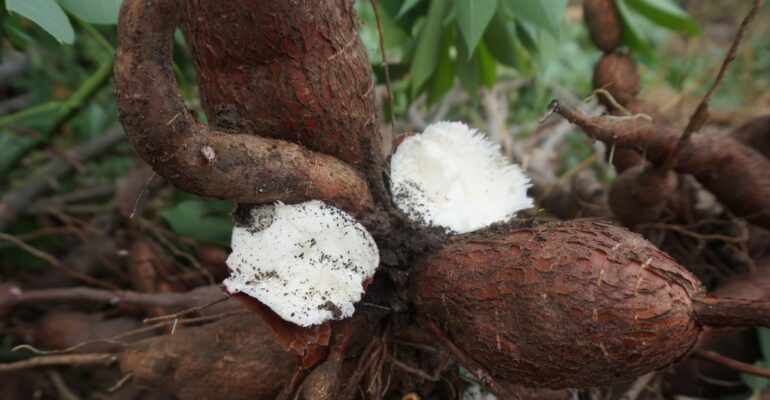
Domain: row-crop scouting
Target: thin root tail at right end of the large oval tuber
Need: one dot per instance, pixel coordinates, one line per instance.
(722, 312)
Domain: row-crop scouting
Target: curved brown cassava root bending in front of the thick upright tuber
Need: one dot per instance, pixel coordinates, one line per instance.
(239, 167)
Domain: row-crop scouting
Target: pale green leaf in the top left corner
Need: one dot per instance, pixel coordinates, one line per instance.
(47, 14)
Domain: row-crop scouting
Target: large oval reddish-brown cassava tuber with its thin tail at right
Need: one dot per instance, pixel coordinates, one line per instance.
(568, 304)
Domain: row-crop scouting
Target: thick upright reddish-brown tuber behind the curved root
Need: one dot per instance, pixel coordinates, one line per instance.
(296, 71)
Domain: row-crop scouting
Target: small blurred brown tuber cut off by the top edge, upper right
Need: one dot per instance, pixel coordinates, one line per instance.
(603, 23)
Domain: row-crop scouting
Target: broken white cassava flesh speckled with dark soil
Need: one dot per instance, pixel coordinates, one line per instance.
(307, 262)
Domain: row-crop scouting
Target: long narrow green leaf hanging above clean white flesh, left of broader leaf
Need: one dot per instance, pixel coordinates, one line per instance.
(426, 53)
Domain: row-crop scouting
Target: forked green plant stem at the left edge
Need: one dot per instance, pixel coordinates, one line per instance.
(64, 111)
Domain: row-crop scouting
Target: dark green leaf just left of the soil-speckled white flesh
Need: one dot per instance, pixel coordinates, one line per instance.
(201, 220)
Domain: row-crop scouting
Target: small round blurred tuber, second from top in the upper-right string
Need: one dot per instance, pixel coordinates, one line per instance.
(617, 74)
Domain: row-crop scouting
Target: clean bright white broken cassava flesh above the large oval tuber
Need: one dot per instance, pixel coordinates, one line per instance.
(453, 177)
